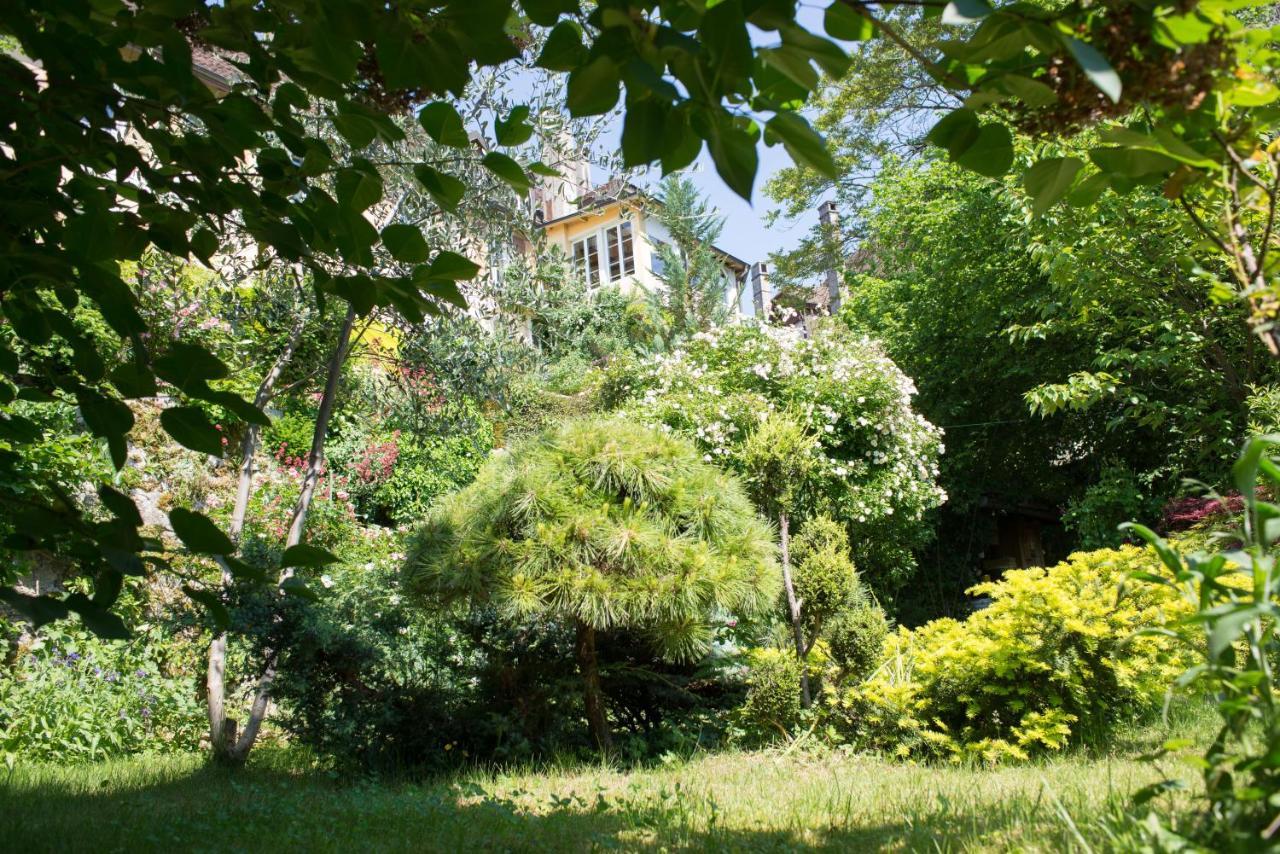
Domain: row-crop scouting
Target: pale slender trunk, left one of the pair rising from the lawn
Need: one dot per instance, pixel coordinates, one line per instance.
(222, 733)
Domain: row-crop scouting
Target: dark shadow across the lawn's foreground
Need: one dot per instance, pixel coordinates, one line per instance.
(213, 810)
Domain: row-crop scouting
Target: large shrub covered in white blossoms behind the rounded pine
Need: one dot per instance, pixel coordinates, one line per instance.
(877, 459)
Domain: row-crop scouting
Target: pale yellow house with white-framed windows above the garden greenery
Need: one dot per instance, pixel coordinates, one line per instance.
(612, 235)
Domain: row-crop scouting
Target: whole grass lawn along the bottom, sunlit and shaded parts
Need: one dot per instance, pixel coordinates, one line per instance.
(764, 801)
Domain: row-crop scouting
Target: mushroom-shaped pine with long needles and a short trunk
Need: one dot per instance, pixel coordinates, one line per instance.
(602, 524)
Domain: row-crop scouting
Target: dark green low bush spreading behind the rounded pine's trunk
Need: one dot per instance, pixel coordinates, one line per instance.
(372, 682)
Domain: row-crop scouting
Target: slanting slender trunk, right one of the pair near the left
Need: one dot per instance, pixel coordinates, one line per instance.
(298, 527)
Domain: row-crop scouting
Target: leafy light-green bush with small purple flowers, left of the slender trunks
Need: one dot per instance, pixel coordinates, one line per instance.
(70, 697)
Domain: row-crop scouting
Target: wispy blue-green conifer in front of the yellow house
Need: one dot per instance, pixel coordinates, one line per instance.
(696, 287)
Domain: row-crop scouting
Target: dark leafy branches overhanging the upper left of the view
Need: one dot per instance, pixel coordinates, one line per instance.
(115, 145)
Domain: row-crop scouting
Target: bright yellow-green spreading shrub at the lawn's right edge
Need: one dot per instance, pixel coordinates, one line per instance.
(1053, 657)
